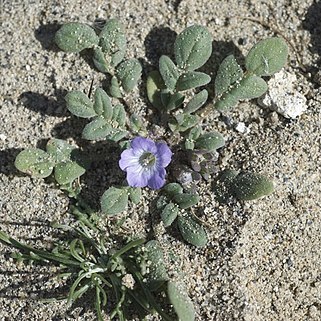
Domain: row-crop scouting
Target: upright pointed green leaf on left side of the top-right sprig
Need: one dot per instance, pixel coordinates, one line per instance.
(229, 72)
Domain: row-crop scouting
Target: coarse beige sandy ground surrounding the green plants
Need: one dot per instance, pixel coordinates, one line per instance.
(263, 259)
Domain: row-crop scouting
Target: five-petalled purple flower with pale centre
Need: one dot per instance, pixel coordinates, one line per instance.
(145, 163)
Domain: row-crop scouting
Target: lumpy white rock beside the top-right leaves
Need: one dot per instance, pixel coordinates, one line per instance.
(283, 97)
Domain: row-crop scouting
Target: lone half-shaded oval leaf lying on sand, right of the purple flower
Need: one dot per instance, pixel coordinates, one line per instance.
(250, 186)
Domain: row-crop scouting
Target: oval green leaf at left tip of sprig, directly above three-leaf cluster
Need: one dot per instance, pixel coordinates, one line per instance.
(79, 104)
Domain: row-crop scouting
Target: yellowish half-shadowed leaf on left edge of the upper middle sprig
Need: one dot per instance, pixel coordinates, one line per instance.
(154, 86)
